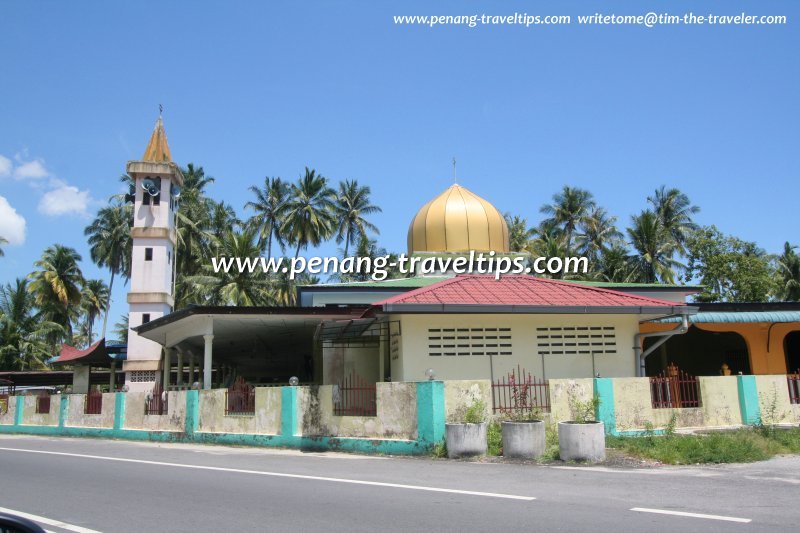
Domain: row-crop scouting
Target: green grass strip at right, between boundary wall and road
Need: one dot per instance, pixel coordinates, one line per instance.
(740, 446)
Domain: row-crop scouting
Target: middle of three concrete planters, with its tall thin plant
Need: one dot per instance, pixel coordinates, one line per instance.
(523, 433)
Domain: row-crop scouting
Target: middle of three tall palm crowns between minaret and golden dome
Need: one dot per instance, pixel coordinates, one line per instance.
(309, 211)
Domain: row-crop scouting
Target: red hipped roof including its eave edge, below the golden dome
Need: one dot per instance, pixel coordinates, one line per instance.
(523, 294)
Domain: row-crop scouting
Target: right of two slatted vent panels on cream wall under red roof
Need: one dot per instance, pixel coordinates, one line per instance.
(576, 340)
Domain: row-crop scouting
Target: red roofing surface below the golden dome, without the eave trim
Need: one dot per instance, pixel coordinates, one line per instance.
(512, 290)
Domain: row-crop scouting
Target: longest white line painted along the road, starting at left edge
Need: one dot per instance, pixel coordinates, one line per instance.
(281, 474)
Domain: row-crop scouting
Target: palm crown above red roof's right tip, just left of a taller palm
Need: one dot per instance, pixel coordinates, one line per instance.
(653, 261)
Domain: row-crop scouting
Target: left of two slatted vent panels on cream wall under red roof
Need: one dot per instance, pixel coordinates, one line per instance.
(469, 341)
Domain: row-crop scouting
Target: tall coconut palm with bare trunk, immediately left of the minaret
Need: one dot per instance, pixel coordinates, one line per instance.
(111, 245)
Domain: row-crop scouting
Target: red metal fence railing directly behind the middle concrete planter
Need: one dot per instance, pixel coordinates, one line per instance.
(520, 392)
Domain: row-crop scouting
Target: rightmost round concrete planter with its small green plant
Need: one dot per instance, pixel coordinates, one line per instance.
(583, 438)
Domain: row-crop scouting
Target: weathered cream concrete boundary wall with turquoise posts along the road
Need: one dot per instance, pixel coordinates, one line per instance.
(410, 417)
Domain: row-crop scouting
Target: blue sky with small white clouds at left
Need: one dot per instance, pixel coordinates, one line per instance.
(265, 89)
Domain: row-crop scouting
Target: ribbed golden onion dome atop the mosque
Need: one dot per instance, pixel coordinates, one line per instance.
(458, 220)
